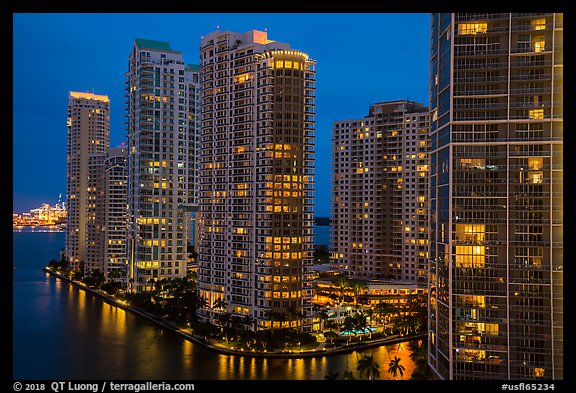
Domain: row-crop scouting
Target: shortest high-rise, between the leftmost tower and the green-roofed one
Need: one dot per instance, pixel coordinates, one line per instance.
(106, 214)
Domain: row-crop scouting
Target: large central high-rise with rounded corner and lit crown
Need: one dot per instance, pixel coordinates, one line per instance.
(256, 215)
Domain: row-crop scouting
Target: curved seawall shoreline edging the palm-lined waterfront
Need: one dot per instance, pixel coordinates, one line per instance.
(225, 351)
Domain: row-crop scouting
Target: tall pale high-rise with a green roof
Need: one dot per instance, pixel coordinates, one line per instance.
(160, 132)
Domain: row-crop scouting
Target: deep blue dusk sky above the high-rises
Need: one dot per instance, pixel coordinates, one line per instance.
(362, 59)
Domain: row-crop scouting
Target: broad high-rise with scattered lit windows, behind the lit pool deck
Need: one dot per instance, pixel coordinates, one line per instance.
(380, 192)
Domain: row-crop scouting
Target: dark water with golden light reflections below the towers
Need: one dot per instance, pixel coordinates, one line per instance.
(60, 332)
